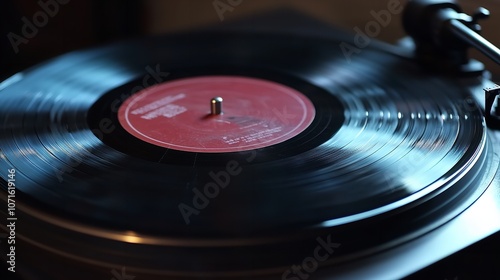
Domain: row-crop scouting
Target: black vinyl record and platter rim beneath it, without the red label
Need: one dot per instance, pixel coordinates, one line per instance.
(390, 151)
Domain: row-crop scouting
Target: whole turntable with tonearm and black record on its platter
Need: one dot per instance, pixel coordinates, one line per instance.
(260, 155)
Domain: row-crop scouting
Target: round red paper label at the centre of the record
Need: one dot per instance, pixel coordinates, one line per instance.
(180, 115)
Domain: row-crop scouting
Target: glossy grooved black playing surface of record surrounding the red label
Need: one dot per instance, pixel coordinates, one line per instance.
(397, 136)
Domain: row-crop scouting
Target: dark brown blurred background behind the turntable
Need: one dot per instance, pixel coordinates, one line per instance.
(66, 25)
